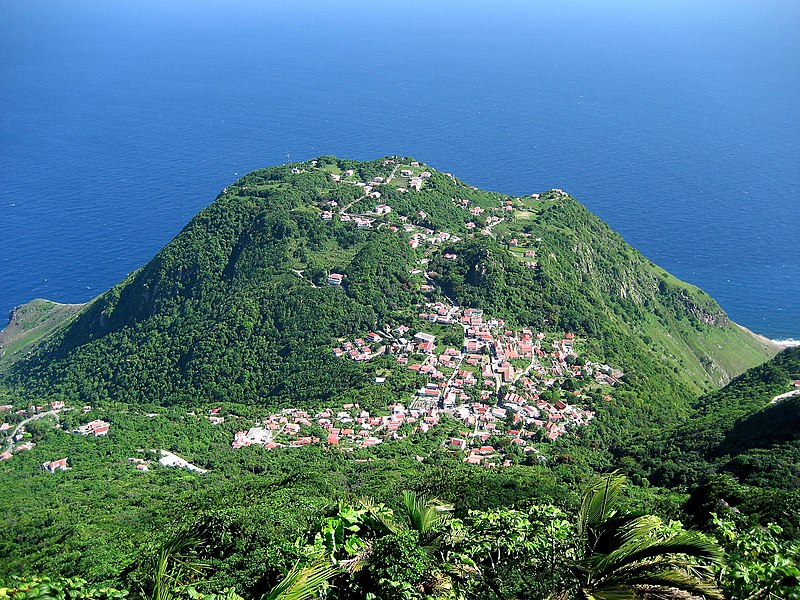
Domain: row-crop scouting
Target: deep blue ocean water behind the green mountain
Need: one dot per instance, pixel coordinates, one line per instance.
(677, 122)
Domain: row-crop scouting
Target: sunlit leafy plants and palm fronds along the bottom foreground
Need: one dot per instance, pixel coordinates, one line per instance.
(367, 550)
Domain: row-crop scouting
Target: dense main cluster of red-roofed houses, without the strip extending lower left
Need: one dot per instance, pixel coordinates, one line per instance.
(463, 381)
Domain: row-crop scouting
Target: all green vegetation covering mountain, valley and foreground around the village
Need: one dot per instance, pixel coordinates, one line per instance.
(236, 313)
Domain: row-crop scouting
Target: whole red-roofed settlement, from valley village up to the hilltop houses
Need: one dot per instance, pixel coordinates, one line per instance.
(502, 385)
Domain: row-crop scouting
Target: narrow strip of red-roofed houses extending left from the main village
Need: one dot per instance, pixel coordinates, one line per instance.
(349, 427)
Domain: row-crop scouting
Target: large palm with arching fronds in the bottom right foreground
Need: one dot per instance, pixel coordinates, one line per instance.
(622, 556)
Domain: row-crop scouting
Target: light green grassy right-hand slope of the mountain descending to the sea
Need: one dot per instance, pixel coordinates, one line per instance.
(679, 322)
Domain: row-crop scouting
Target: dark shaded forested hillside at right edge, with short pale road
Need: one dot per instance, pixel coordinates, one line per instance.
(739, 449)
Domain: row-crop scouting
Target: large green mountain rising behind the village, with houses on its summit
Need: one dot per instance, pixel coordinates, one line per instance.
(237, 307)
